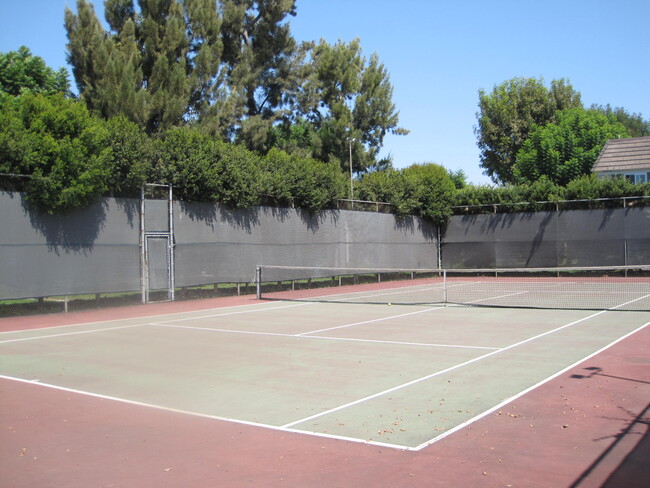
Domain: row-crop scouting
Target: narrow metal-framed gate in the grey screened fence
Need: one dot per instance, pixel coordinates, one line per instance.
(156, 244)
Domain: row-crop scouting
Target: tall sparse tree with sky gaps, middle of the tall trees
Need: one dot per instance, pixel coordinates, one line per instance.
(264, 67)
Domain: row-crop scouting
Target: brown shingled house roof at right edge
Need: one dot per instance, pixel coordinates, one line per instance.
(624, 155)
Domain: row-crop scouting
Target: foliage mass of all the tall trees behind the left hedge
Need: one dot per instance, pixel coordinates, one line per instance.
(234, 68)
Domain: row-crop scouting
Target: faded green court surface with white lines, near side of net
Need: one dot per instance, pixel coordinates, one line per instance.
(398, 376)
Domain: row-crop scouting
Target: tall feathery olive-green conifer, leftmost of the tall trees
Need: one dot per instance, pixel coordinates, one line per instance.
(157, 64)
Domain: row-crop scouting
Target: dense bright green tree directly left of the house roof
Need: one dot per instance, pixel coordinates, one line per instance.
(566, 149)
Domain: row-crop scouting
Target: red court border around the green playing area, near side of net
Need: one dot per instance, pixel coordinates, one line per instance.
(587, 427)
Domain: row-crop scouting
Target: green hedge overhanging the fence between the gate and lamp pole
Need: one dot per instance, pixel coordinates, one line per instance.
(204, 169)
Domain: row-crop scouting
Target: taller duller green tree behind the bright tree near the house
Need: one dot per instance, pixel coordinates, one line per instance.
(507, 114)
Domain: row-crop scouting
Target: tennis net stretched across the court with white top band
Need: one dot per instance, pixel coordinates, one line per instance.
(595, 288)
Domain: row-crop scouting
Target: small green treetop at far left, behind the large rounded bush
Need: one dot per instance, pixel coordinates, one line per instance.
(21, 70)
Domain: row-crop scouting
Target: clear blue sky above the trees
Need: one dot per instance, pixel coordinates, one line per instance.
(439, 54)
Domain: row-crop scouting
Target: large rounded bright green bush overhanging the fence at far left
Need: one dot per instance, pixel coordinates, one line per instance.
(59, 144)
